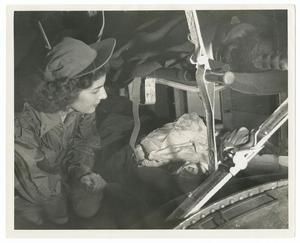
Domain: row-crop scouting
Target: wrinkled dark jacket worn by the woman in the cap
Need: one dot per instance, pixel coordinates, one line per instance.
(51, 154)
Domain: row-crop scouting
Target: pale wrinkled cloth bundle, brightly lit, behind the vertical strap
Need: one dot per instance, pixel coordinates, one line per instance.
(183, 140)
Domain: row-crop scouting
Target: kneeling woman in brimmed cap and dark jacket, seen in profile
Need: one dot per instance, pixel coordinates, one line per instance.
(55, 136)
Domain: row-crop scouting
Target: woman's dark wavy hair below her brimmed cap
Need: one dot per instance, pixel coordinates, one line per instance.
(54, 96)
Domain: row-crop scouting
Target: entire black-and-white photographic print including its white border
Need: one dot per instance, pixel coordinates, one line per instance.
(151, 119)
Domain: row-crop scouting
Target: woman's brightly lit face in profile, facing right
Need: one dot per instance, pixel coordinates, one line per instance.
(89, 98)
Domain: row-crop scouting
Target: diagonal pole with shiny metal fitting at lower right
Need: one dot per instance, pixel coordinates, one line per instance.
(201, 195)
